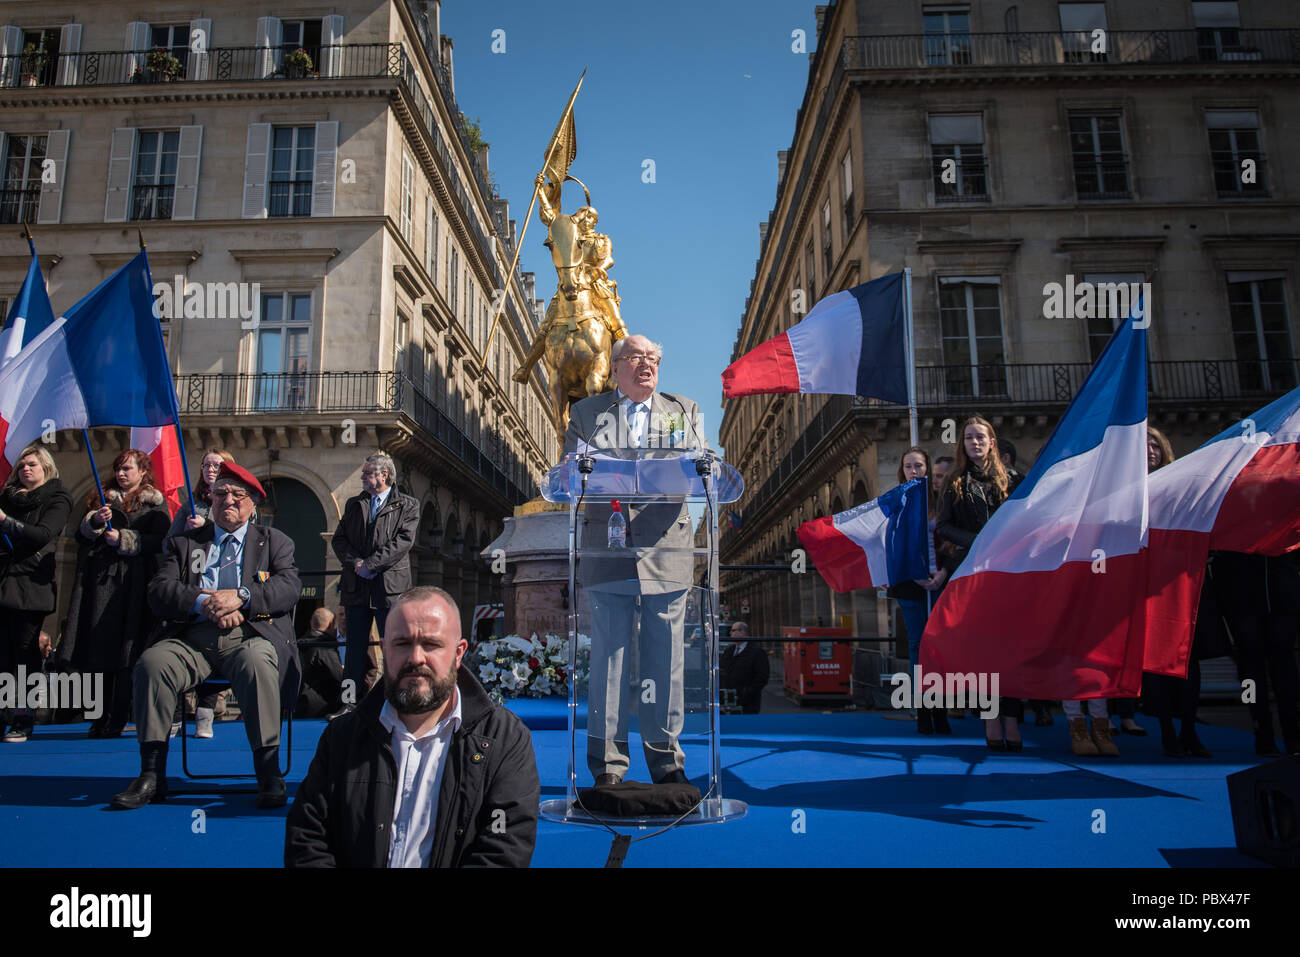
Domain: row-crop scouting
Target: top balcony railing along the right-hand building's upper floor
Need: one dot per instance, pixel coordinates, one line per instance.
(955, 51)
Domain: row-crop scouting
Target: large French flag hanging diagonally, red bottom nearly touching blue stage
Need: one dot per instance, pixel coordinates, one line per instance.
(1047, 596)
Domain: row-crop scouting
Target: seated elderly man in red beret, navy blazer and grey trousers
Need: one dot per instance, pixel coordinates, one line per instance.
(226, 594)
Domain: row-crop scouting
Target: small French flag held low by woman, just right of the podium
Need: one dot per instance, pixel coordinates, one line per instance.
(877, 544)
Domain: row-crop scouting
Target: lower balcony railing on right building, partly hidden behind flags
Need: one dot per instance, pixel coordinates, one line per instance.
(995, 387)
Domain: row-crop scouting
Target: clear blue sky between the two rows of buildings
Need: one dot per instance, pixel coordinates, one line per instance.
(708, 90)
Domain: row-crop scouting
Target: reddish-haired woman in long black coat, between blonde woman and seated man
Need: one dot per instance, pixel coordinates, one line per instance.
(109, 620)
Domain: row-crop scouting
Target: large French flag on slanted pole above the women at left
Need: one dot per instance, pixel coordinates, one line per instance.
(102, 363)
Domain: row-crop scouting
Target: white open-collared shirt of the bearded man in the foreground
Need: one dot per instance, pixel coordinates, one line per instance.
(421, 765)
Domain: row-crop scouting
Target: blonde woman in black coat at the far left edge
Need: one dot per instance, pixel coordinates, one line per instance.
(34, 509)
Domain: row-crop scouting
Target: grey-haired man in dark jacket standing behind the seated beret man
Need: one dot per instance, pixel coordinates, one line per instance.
(374, 544)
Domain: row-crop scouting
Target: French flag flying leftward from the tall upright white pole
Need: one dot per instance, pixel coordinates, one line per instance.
(851, 344)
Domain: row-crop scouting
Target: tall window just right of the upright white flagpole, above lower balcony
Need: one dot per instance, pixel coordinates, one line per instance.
(970, 317)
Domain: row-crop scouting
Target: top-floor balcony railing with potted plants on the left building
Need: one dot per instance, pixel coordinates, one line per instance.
(223, 64)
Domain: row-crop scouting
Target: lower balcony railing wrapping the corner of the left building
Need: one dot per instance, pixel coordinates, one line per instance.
(343, 393)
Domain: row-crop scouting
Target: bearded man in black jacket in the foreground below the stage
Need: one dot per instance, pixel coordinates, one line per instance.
(470, 794)
